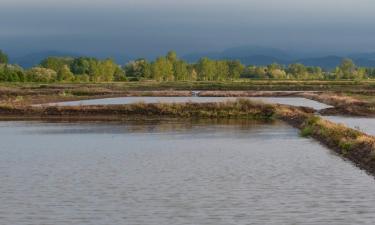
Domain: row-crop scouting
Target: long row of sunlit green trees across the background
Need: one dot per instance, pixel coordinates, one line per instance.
(168, 68)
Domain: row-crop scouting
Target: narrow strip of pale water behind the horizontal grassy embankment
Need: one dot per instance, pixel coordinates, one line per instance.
(295, 101)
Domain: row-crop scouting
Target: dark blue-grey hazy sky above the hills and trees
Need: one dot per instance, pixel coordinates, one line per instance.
(151, 27)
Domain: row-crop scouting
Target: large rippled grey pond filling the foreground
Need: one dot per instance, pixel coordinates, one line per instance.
(176, 173)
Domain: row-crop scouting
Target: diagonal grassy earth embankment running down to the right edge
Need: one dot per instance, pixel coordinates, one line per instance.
(354, 145)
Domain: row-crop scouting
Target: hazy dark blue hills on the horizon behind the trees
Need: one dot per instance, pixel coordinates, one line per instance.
(248, 55)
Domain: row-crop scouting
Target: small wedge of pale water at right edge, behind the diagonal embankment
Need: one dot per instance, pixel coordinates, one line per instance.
(364, 124)
